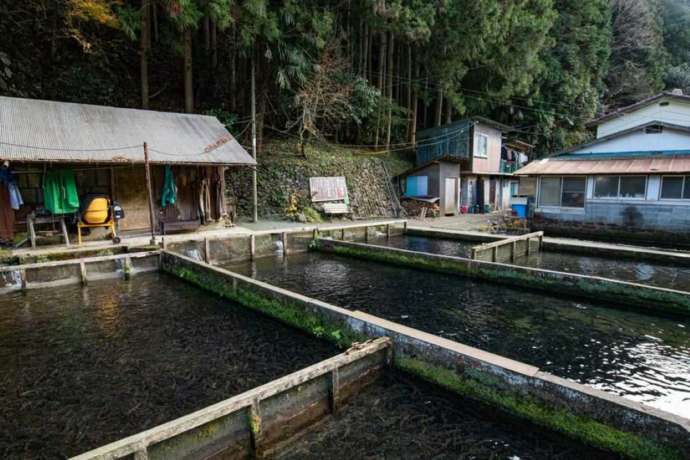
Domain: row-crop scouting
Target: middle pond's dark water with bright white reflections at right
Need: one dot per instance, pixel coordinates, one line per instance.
(641, 357)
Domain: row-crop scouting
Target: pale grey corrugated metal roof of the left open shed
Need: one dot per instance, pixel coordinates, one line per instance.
(36, 130)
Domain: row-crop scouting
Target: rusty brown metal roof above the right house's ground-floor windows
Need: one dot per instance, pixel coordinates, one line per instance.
(666, 164)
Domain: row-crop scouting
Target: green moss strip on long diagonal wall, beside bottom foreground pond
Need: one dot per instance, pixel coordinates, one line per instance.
(581, 428)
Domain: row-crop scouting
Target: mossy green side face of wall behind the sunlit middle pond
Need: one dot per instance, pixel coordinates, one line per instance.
(620, 295)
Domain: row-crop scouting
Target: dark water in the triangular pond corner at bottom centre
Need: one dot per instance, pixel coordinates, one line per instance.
(402, 417)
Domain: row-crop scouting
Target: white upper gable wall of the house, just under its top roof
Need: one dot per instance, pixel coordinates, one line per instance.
(676, 112)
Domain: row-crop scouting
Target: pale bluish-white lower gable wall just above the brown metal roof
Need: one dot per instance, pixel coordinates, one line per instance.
(639, 141)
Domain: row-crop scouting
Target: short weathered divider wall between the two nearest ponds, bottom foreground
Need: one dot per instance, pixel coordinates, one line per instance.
(256, 422)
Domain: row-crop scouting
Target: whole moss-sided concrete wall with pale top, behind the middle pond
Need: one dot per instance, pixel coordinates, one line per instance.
(616, 293)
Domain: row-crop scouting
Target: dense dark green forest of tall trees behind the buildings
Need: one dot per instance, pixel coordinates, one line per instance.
(361, 72)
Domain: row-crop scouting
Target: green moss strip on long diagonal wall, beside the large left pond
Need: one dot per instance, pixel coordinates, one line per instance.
(290, 313)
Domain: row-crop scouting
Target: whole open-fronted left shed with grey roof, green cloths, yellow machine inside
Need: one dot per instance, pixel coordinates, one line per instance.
(73, 168)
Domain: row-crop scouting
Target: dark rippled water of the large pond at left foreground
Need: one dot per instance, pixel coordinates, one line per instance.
(82, 367)
